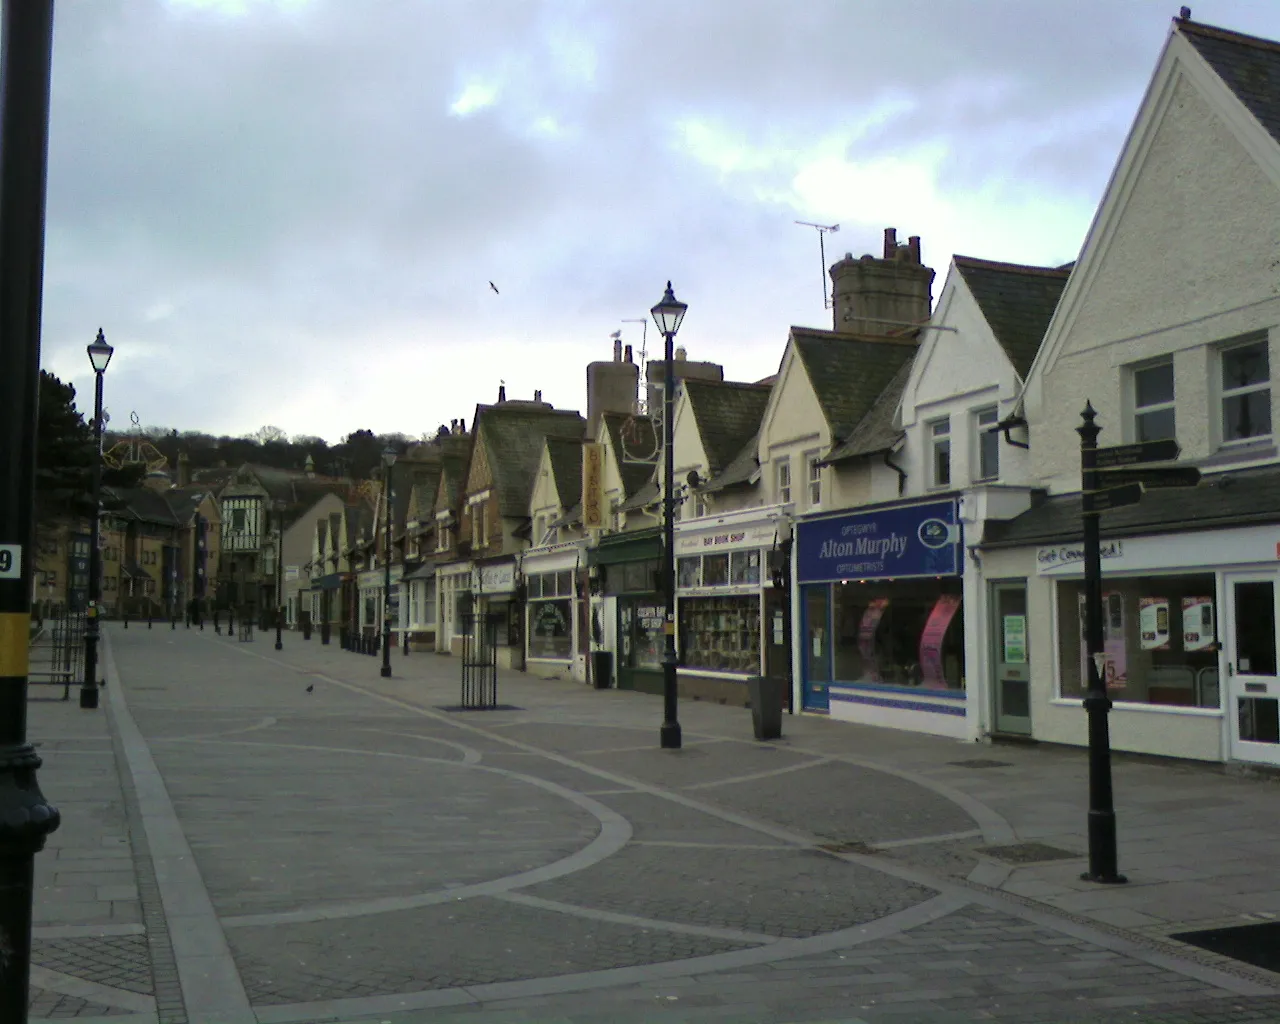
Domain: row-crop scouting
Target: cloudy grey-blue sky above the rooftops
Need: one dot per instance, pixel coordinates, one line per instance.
(290, 212)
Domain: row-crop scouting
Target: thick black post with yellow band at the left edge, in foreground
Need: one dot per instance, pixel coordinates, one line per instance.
(26, 817)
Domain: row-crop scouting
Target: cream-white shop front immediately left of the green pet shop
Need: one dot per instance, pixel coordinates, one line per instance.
(555, 616)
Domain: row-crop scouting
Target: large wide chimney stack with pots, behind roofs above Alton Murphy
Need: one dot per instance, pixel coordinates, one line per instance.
(884, 296)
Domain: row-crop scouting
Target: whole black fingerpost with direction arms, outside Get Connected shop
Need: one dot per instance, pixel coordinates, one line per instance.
(1109, 483)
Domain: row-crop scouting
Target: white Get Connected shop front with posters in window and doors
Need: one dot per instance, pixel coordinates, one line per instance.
(1191, 627)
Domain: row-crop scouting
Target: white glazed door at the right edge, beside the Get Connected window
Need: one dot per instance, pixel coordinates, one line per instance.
(1252, 684)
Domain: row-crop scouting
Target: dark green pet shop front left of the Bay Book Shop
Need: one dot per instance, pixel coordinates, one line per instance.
(629, 609)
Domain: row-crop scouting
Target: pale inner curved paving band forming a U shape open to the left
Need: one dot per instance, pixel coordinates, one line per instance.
(615, 834)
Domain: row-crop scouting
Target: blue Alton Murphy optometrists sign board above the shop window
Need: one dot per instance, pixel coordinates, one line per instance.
(888, 543)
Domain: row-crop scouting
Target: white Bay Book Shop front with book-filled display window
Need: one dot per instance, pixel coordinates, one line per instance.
(721, 588)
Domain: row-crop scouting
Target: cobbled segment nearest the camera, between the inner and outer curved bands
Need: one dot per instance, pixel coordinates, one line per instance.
(464, 944)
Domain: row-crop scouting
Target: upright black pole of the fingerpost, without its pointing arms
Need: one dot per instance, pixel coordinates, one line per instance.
(1098, 705)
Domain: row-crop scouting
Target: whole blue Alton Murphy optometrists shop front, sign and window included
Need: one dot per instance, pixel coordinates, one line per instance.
(881, 616)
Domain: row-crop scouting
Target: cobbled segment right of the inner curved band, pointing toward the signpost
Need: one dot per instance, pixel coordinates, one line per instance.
(781, 893)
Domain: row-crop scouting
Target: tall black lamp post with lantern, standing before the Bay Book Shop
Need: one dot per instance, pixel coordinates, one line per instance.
(669, 316)
